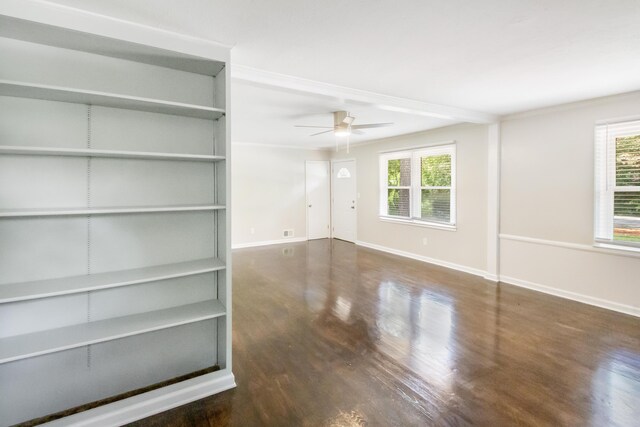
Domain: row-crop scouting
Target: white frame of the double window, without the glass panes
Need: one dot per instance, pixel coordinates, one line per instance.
(415, 189)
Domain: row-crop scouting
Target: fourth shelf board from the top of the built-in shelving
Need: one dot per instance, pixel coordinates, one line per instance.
(12, 292)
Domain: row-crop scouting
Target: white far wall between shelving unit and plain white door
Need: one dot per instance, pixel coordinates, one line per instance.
(268, 192)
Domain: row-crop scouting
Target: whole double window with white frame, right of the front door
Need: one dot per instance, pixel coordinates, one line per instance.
(419, 185)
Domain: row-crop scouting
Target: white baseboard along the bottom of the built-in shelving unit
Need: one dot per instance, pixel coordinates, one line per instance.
(144, 405)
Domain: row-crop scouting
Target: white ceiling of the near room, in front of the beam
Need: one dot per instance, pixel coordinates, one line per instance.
(492, 56)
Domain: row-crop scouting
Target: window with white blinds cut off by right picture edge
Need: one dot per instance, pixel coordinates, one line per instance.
(617, 209)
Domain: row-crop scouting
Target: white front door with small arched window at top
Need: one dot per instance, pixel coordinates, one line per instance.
(343, 180)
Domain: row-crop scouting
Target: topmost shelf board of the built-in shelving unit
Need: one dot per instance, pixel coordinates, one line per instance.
(104, 99)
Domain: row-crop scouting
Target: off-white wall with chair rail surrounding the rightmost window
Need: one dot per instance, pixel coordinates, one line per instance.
(547, 206)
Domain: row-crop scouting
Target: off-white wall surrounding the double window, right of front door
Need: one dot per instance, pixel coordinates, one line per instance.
(465, 248)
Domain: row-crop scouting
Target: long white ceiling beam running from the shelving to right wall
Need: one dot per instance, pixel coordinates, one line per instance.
(241, 73)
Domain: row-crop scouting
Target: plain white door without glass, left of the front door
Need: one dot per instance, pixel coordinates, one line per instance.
(318, 195)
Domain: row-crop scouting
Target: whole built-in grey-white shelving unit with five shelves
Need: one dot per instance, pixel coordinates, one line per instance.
(114, 216)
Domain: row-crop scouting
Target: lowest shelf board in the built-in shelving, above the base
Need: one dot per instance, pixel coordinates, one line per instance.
(53, 340)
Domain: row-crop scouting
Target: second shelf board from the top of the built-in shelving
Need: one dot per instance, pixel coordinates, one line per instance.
(80, 152)
